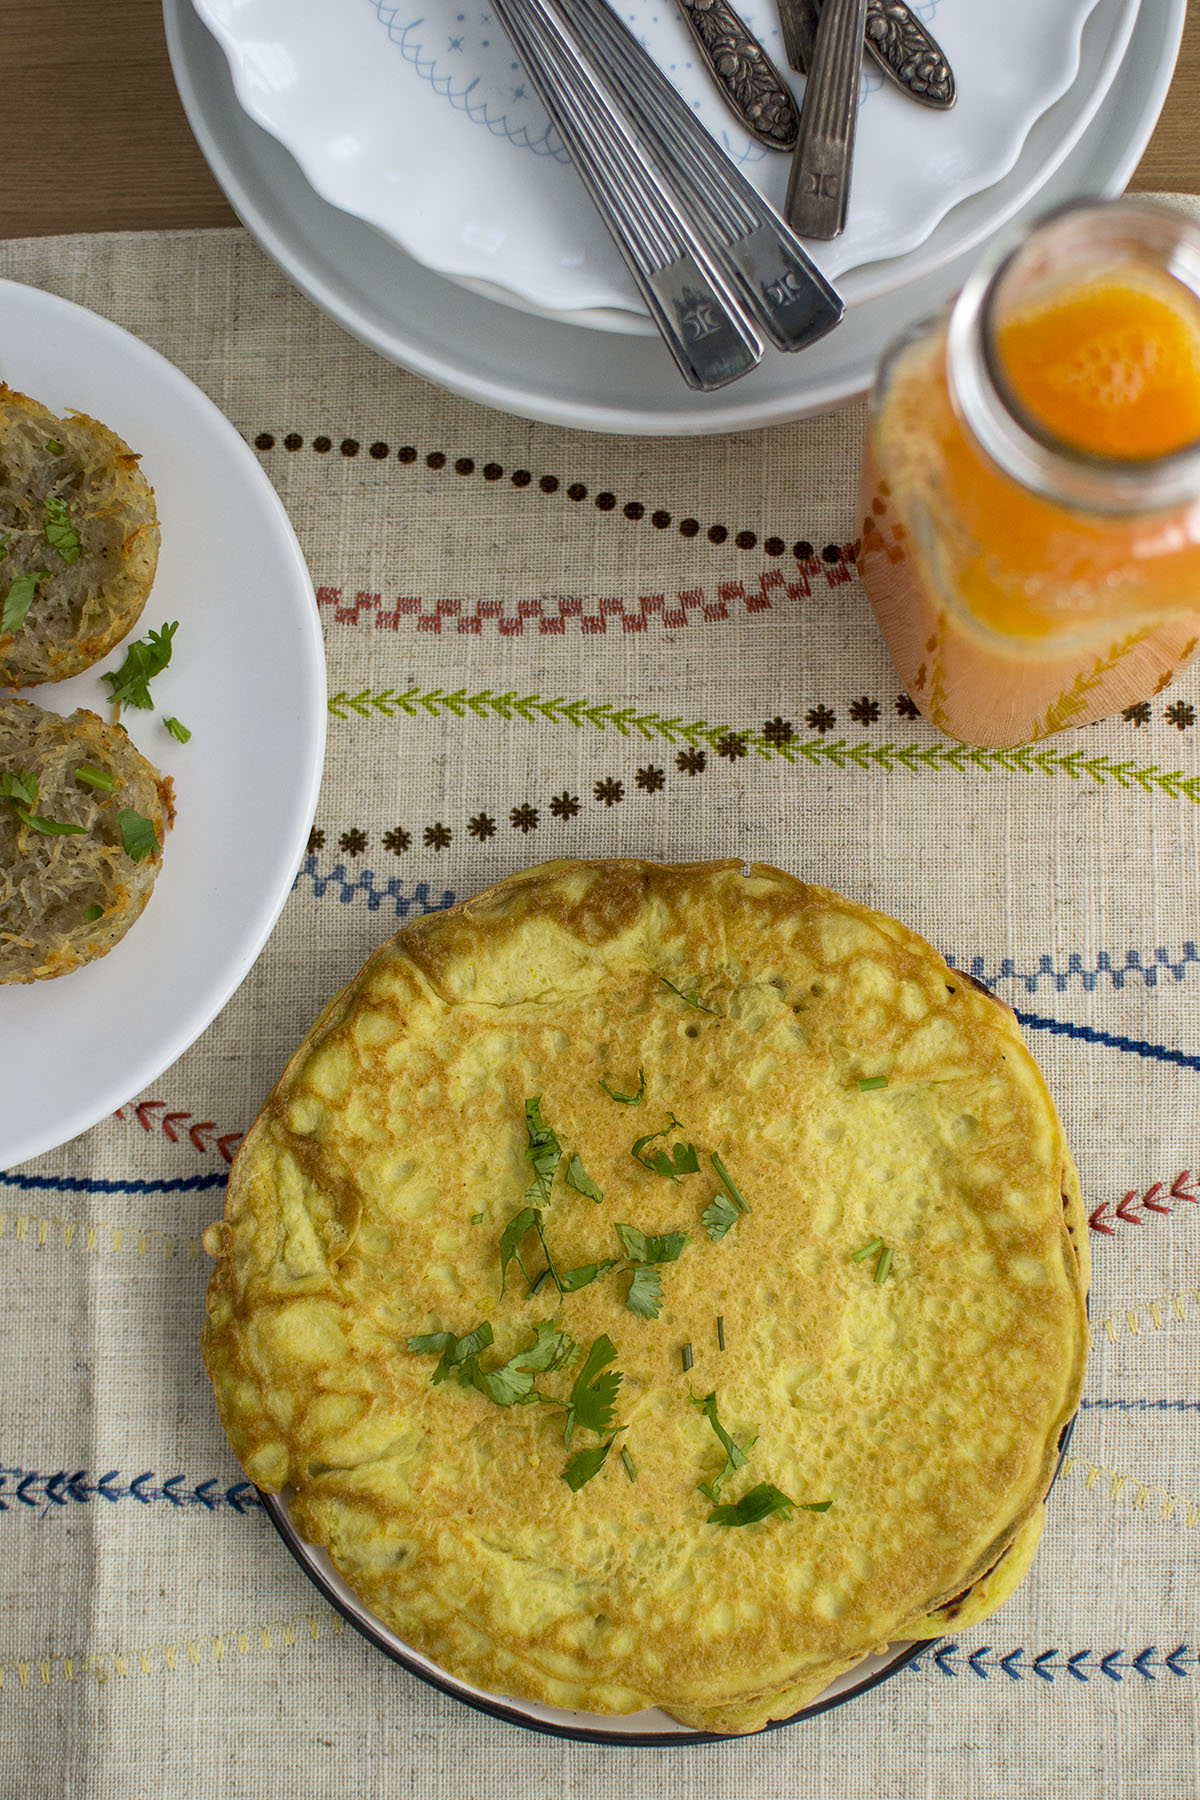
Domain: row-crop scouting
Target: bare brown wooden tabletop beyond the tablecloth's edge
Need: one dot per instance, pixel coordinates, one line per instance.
(93, 136)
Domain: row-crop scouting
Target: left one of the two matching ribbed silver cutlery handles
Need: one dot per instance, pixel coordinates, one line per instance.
(690, 303)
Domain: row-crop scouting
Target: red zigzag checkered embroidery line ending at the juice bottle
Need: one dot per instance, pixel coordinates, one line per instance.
(551, 616)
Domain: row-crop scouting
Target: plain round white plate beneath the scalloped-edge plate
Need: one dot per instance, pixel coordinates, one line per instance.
(564, 375)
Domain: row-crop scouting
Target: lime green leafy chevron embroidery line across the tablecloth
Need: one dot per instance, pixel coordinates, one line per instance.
(962, 759)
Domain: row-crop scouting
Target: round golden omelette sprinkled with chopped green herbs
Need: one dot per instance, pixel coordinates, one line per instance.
(796, 1183)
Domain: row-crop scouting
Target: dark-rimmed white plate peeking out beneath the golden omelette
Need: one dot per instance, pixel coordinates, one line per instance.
(652, 1727)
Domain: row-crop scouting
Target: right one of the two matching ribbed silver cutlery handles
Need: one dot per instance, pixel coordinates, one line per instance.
(758, 255)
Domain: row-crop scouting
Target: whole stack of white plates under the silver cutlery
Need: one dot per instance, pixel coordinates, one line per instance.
(399, 166)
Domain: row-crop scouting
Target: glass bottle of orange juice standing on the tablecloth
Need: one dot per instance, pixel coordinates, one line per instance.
(1032, 481)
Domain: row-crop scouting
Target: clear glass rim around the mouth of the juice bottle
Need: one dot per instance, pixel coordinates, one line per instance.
(1075, 242)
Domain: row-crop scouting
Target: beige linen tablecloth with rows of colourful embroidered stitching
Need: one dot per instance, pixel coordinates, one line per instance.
(548, 643)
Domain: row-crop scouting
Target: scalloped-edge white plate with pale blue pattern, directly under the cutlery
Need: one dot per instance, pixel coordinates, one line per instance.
(420, 121)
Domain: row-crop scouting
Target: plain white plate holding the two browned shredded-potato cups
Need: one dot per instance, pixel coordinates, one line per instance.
(247, 678)
